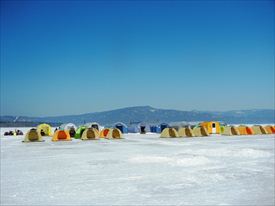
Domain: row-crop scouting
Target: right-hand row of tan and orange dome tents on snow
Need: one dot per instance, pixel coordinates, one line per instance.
(202, 130)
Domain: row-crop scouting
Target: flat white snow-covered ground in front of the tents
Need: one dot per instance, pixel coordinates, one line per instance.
(139, 170)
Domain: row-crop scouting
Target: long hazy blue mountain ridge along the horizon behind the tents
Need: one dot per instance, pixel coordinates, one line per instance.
(153, 115)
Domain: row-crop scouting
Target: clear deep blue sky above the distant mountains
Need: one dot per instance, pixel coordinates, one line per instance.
(85, 56)
